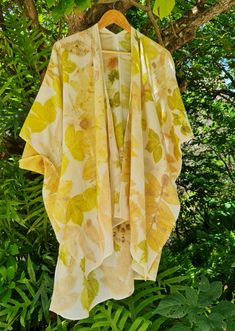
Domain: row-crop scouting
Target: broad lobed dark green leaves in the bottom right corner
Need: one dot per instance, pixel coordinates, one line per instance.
(197, 308)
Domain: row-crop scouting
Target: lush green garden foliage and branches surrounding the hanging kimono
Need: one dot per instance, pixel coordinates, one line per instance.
(194, 289)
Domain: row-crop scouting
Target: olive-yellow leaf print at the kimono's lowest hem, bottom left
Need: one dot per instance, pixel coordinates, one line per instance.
(89, 291)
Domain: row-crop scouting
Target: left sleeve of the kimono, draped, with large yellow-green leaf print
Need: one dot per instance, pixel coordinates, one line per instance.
(42, 129)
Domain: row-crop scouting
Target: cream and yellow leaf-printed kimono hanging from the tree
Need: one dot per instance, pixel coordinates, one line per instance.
(105, 131)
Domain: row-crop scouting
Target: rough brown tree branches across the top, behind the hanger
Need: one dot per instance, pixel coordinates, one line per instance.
(173, 37)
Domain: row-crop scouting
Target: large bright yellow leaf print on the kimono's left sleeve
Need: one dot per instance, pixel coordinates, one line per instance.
(41, 115)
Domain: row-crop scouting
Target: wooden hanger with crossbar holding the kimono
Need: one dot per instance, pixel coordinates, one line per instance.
(114, 16)
